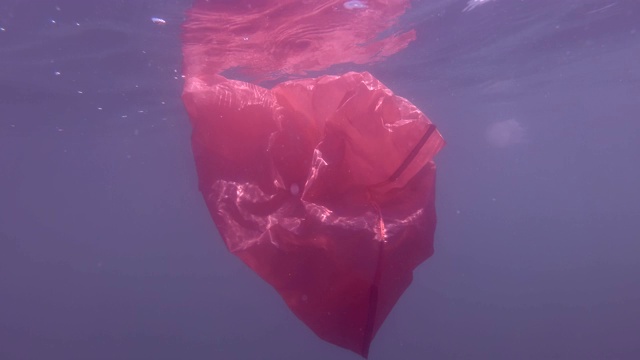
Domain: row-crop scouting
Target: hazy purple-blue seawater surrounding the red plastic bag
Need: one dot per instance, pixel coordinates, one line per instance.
(107, 250)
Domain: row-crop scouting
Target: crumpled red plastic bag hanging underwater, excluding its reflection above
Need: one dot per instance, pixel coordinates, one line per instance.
(324, 187)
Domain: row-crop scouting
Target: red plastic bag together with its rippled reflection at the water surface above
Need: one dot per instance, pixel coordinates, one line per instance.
(324, 186)
